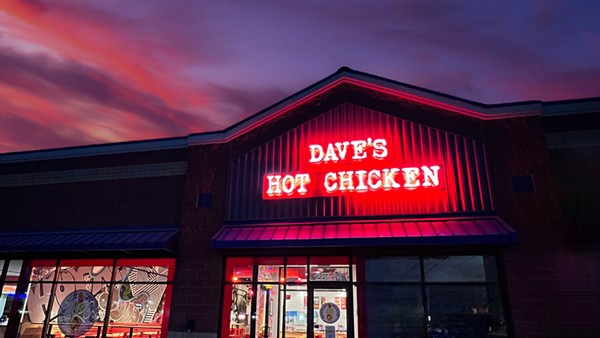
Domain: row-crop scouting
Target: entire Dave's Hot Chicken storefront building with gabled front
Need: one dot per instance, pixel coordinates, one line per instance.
(357, 207)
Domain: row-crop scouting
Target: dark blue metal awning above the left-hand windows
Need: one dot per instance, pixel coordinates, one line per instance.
(159, 239)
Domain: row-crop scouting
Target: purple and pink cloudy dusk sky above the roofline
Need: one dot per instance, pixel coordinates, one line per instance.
(85, 72)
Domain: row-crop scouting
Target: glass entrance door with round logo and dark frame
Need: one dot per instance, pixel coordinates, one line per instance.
(330, 315)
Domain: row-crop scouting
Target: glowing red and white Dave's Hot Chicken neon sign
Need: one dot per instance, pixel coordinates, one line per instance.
(355, 166)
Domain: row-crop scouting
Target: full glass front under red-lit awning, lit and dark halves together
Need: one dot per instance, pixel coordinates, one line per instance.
(412, 296)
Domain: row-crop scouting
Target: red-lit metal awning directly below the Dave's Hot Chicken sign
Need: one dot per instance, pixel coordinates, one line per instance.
(455, 231)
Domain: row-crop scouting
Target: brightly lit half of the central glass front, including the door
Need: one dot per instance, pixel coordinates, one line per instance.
(285, 301)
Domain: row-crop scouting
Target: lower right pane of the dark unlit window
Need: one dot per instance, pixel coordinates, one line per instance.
(465, 311)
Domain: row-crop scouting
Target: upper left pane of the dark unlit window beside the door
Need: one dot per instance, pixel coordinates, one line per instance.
(393, 269)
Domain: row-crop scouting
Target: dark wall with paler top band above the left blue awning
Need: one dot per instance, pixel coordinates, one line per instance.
(110, 191)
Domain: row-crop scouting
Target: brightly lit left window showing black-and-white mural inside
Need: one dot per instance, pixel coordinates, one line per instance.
(77, 297)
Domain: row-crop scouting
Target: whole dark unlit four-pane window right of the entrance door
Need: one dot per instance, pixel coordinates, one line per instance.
(442, 296)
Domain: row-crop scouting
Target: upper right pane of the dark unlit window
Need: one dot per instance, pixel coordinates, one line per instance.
(457, 269)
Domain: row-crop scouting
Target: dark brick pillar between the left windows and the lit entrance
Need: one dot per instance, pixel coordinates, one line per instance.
(198, 274)
